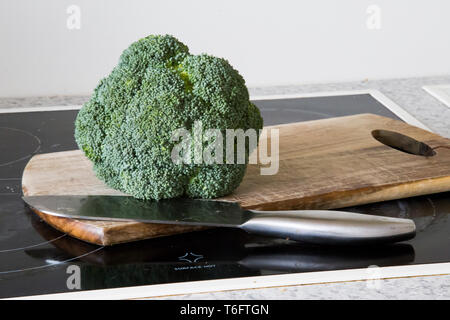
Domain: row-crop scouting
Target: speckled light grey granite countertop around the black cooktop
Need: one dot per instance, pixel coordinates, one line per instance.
(407, 93)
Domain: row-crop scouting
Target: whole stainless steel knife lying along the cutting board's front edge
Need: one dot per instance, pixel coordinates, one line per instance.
(312, 226)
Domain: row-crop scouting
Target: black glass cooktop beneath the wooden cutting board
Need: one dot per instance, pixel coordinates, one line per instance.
(37, 259)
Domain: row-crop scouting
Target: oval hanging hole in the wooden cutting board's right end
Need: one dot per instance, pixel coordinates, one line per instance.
(403, 143)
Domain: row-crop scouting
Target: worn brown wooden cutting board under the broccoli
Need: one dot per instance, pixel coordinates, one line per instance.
(324, 164)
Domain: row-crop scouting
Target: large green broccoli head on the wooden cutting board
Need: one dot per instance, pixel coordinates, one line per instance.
(157, 87)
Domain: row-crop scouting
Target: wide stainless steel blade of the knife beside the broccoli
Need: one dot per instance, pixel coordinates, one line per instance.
(123, 208)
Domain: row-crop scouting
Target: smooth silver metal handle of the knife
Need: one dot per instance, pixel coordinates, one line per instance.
(329, 227)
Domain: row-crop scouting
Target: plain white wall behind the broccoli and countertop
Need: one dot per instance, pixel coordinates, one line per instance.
(270, 42)
